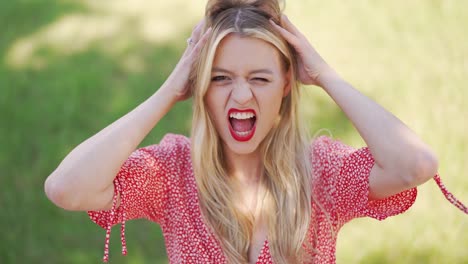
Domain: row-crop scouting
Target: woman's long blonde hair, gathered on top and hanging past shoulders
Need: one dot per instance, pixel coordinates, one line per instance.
(287, 172)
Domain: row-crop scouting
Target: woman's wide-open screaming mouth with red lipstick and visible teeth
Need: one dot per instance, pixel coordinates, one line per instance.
(242, 124)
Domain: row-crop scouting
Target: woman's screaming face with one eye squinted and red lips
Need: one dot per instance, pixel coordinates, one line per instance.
(247, 85)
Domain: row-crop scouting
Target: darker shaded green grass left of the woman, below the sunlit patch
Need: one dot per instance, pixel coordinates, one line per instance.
(46, 112)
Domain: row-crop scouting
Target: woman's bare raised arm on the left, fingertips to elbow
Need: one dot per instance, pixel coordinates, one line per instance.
(84, 179)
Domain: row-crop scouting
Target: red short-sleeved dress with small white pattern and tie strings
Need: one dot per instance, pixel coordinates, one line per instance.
(157, 183)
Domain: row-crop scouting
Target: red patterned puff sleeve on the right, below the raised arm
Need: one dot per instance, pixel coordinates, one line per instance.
(341, 183)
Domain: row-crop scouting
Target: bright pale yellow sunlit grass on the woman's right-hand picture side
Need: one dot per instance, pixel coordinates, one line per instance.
(415, 64)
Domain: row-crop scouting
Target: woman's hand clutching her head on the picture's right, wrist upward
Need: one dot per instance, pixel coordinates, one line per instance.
(311, 64)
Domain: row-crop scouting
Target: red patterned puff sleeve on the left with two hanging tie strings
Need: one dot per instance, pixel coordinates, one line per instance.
(142, 187)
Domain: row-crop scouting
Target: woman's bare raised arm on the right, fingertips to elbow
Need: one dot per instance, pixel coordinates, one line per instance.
(402, 159)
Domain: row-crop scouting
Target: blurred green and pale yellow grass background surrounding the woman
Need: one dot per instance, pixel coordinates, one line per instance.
(70, 67)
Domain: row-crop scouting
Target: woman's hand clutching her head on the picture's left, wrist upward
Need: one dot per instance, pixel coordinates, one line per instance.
(178, 81)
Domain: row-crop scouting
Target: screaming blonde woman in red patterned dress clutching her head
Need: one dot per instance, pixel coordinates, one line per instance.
(247, 186)
